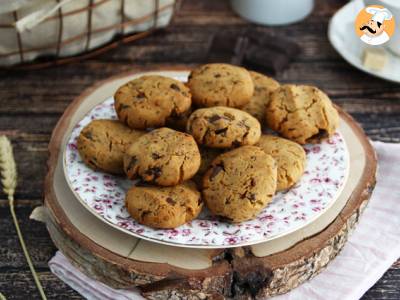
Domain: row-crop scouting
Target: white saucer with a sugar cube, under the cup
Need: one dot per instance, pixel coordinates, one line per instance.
(345, 41)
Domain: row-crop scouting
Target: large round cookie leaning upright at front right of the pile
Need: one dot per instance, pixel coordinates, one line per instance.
(240, 183)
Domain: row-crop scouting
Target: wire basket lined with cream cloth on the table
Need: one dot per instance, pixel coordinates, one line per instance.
(62, 31)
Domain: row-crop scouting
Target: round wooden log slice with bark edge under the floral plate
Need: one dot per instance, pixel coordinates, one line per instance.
(161, 271)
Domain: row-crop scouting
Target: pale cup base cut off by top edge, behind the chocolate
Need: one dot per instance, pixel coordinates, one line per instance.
(273, 12)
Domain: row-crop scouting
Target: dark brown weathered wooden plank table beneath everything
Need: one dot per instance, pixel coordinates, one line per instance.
(31, 102)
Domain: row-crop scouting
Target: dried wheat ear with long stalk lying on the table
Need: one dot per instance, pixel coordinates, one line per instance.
(8, 172)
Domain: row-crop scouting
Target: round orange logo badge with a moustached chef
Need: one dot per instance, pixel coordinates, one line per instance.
(375, 25)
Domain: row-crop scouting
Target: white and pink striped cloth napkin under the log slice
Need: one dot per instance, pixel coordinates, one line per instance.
(370, 251)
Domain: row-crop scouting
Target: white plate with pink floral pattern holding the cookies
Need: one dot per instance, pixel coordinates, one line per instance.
(103, 194)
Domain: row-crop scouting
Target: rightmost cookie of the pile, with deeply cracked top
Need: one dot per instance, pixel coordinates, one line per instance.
(302, 113)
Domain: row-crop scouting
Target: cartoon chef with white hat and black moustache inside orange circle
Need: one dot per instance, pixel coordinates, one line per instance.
(374, 29)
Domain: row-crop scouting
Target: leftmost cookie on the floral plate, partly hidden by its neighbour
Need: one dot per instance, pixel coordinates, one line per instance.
(102, 144)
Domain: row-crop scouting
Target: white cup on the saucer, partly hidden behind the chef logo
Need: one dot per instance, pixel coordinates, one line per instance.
(394, 6)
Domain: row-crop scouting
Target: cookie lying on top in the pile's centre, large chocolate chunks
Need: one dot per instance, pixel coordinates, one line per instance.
(223, 127)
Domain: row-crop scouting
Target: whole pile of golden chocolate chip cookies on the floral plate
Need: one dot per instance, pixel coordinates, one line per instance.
(203, 142)
